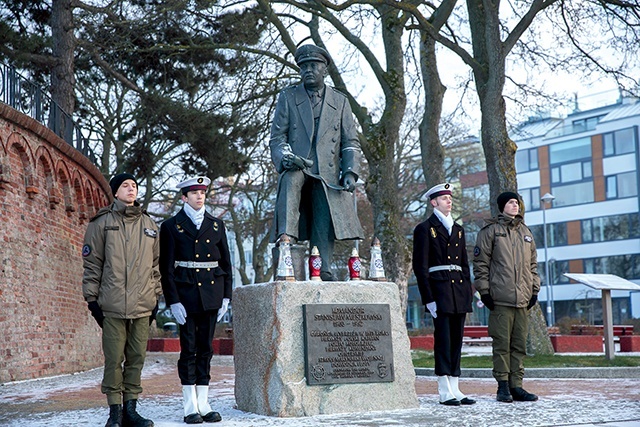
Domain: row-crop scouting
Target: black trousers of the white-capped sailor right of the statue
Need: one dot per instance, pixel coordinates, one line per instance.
(447, 343)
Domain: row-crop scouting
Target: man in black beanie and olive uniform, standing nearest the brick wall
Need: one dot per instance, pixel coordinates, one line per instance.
(121, 285)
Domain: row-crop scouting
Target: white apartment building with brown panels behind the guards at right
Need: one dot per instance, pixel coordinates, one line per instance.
(588, 163)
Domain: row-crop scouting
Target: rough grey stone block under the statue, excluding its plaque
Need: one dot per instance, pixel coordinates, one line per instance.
(269, 351)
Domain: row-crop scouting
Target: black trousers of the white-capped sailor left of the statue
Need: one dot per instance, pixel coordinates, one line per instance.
(196, 348)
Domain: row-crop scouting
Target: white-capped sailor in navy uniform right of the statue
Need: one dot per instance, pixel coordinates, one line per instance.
(441, 267)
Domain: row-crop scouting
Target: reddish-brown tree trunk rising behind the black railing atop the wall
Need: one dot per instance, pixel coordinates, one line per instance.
(62, 74)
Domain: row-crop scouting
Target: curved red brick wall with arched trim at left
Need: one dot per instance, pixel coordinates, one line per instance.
(48, 191)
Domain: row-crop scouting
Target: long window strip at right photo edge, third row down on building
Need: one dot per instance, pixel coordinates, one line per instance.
(606, 228)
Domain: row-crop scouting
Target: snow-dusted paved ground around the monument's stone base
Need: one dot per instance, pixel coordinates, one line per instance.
(75, 400)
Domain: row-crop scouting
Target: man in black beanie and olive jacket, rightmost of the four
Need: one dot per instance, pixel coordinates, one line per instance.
(506, 275)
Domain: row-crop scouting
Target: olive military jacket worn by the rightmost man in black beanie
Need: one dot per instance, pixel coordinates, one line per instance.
(505, 262)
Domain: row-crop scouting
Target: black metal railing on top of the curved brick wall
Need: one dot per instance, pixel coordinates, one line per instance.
(29, 98)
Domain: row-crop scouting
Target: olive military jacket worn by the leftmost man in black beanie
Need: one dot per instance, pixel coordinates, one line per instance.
(120, 258)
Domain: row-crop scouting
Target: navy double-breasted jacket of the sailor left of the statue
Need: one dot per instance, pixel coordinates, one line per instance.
(198, 289)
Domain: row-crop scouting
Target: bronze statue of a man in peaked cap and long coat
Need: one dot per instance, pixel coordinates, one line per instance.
(315, 149)
